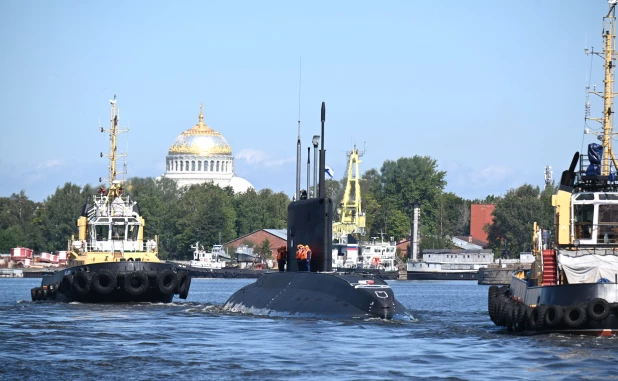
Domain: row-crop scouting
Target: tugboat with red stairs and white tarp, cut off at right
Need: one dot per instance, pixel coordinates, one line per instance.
(572, 286)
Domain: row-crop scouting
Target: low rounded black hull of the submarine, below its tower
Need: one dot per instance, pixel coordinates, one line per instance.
(320, 295)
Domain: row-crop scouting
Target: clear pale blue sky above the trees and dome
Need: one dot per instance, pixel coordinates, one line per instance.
(493, 90)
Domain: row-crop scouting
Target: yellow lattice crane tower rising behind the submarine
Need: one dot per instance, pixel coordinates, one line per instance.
(350, 217)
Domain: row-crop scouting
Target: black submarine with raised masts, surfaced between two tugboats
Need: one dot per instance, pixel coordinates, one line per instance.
(320, 292)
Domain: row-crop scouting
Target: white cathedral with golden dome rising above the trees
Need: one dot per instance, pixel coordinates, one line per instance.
(201, 154)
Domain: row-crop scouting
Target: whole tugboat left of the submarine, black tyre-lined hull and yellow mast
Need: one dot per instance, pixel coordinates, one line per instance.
(110, 261)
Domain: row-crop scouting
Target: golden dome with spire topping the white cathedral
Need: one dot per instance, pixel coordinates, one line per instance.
(200, 140)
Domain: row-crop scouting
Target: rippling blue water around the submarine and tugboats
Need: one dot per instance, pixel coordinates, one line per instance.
(452, 338)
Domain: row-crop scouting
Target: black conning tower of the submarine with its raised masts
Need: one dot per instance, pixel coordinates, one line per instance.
(310, 221)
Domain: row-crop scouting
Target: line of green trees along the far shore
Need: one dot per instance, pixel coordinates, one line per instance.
(212, 215)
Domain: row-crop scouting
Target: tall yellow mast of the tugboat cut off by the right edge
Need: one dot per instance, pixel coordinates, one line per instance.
(609, 48)
